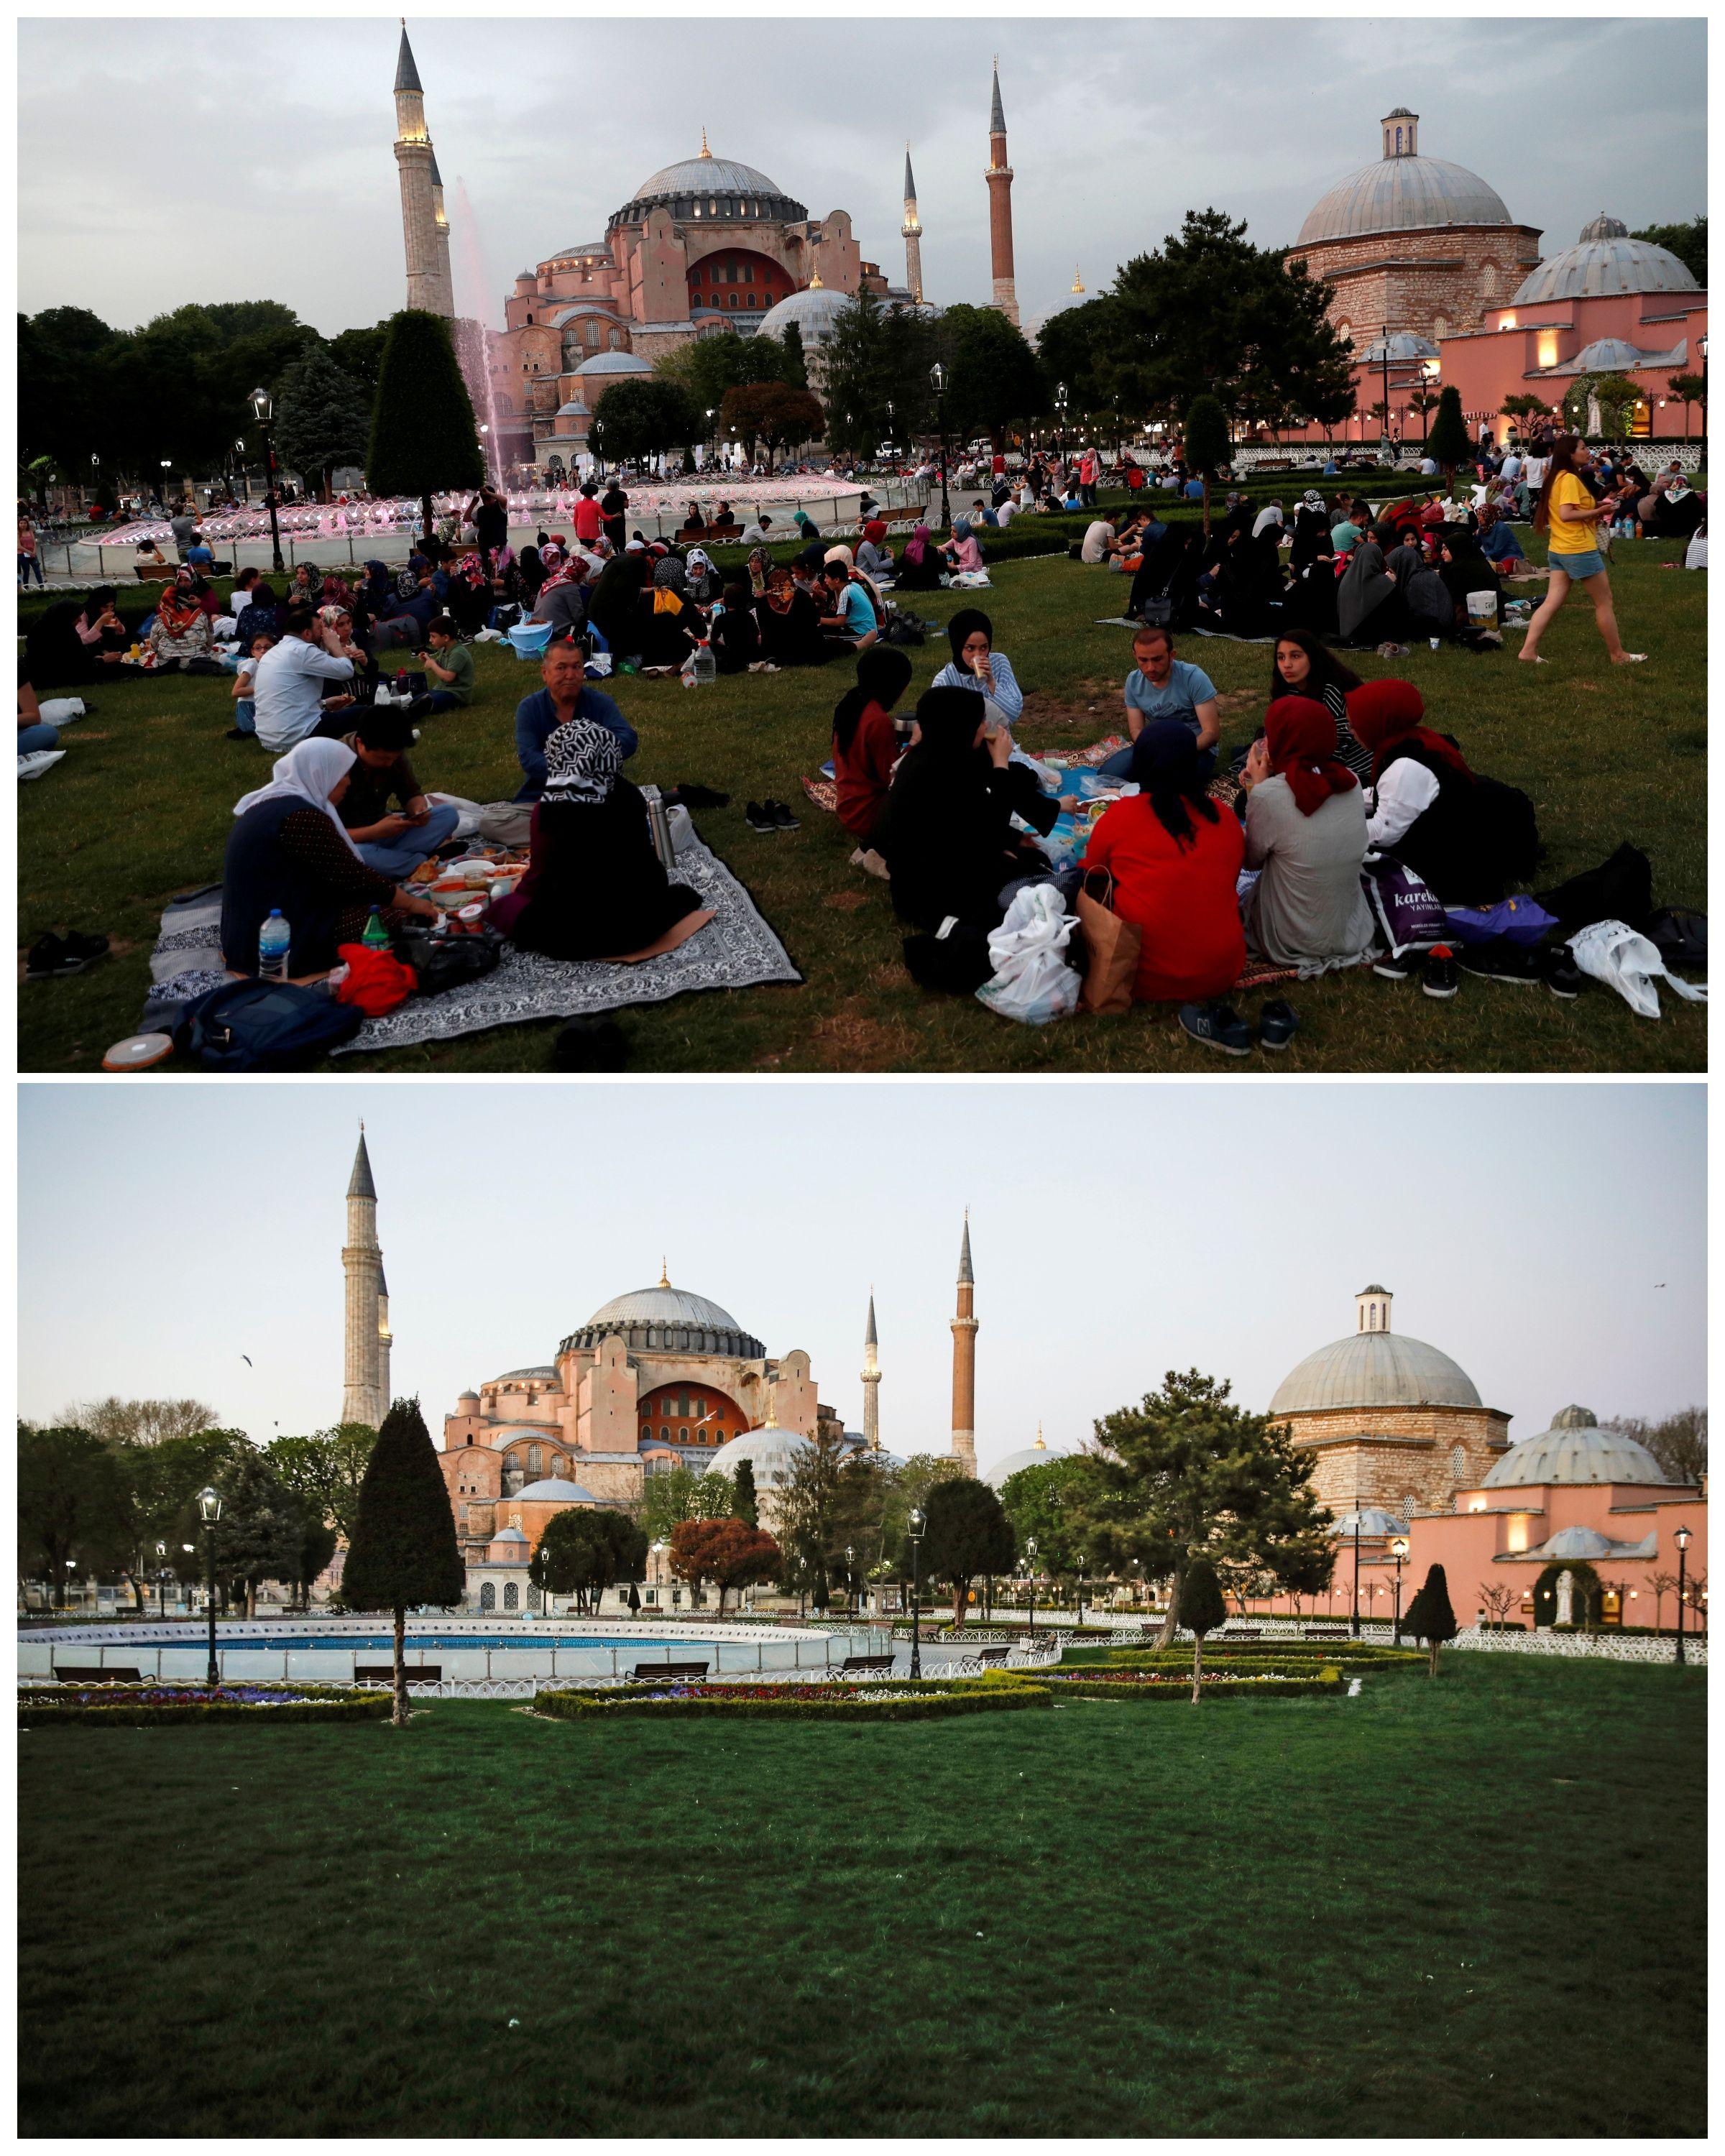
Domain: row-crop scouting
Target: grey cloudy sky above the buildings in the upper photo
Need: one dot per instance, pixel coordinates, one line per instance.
(251, 158)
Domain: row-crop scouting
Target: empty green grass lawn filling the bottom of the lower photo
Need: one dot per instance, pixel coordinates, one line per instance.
(1469, 1907)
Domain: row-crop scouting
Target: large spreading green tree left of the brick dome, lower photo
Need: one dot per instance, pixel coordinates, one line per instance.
(1191, 1474)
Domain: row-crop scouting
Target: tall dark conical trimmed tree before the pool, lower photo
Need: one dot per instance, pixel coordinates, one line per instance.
(404, 1549)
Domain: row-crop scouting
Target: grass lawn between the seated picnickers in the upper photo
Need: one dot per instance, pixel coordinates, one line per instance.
(141, 810)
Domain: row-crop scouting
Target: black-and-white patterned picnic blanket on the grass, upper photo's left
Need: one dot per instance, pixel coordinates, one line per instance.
(736, 950)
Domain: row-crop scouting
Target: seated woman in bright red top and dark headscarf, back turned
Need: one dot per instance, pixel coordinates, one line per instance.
(1176, 863)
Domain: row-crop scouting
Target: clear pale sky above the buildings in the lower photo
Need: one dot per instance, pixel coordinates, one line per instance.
(1547, 1236)
